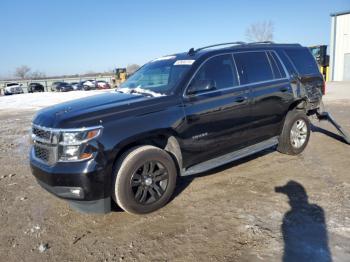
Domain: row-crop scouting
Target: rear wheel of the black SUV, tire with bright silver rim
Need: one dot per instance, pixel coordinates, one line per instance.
(295, 134)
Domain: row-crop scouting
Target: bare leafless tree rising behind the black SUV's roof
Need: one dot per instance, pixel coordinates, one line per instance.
(260, 31)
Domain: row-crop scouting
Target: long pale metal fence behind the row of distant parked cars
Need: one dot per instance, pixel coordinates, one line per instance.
(47, 83)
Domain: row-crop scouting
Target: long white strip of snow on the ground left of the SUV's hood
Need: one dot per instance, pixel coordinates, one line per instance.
(36, 101)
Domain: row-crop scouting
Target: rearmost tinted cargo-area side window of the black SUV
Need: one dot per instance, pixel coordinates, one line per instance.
(303, 61)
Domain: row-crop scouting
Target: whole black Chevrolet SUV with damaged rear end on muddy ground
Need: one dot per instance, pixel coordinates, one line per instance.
(177, 115)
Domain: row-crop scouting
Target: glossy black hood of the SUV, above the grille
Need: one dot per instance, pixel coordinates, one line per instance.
(86, 111)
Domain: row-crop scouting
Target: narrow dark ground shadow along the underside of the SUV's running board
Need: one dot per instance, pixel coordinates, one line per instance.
(184, 182)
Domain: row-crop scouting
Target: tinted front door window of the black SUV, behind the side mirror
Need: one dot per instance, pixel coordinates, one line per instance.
(220, 70)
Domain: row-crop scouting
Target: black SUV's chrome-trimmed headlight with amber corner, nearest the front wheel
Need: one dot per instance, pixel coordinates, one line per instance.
(72, 144)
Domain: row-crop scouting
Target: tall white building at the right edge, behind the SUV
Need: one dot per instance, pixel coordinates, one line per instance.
(340, 47)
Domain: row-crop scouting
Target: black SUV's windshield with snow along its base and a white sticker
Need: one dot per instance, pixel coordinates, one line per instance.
(158, 76)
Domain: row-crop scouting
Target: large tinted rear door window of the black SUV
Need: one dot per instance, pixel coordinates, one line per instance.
(253, 67)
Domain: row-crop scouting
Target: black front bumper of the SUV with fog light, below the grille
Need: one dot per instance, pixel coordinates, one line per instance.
(86, 185)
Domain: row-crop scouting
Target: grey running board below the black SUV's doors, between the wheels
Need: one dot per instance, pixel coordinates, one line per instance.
(225, 159)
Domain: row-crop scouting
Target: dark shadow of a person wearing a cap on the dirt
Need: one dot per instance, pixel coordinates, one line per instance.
(304, 228)
